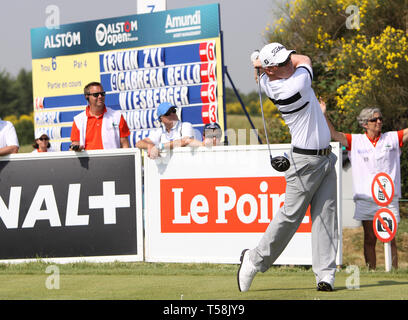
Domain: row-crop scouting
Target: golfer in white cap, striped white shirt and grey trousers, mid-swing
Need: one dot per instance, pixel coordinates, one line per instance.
(286, 78)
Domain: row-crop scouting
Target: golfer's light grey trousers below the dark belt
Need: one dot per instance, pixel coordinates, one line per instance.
(309, 180)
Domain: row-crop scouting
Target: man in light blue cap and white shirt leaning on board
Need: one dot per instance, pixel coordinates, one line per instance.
(171, 134)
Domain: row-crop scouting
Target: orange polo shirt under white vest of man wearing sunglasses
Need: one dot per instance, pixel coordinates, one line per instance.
(93, 140)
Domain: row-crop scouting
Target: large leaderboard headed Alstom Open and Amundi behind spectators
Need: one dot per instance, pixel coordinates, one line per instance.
(141, 61)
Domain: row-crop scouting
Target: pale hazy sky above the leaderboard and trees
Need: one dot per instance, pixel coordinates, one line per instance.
(242, 23)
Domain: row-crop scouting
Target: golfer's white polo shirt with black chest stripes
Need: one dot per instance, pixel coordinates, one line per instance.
(300, 109)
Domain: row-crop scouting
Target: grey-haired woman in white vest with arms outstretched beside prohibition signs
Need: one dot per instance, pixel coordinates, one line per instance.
(370, 153)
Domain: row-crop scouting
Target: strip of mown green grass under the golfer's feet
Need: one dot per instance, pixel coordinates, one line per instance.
(167, 281)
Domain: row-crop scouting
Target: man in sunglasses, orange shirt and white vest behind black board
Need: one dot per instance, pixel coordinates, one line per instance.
(98, 127)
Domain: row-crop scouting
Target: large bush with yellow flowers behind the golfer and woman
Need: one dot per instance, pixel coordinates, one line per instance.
(359, 52)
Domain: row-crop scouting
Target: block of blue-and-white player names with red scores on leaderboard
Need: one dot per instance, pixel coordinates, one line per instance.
(139, 80)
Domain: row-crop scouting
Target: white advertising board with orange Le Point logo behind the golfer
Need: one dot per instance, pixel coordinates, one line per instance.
(208, 204)
